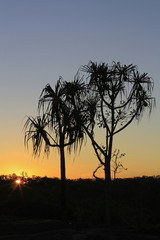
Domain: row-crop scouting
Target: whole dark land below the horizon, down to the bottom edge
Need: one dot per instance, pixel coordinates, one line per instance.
(32, 210)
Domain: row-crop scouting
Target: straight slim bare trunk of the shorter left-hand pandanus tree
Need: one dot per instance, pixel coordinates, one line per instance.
(63, 183)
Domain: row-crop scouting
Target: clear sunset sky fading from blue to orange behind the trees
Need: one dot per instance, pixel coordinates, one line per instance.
(41, 40)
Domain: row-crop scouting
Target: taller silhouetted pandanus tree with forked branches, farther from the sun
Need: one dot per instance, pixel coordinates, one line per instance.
(123, 94)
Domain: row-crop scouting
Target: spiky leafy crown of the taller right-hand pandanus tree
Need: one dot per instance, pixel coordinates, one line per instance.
(122, 91)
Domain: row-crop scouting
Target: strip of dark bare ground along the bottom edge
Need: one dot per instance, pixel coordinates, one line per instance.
(13, 228)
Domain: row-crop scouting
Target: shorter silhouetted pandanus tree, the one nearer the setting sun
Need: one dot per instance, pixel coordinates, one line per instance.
(56, 126)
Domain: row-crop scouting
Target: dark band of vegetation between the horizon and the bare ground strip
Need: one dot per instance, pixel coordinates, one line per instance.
(135, 202)
